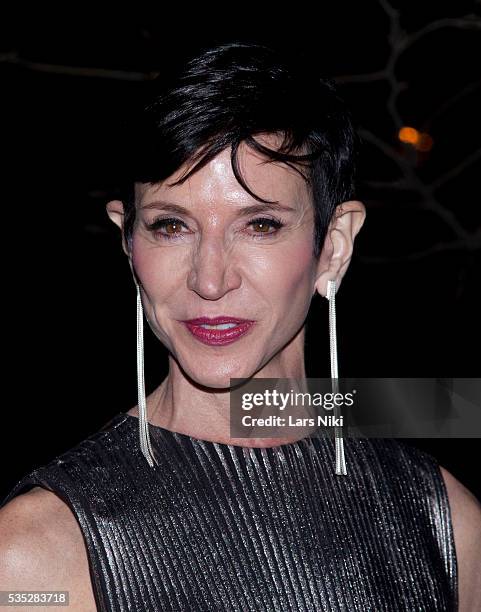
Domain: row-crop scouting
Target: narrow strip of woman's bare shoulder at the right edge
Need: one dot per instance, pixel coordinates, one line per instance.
(466, 520)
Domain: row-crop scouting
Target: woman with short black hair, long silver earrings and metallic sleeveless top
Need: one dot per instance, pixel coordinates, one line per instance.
(226, 256)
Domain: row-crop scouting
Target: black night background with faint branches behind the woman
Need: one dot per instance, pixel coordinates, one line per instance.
(409, 303)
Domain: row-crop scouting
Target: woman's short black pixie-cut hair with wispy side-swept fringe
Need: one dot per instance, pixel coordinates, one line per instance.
(226, 95)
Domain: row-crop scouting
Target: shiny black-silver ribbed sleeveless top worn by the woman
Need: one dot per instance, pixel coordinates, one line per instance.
(217, 527)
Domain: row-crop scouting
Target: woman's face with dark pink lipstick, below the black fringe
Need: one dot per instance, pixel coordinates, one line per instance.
(212, 260)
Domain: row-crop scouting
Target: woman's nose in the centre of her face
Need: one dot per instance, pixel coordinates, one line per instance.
(213, 270)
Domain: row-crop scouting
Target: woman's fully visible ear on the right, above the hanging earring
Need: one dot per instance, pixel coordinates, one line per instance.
(336, 253)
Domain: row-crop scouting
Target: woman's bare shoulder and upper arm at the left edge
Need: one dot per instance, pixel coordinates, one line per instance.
(42, 548)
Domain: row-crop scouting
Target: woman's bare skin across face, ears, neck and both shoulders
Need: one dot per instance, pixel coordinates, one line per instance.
(216, 267)
